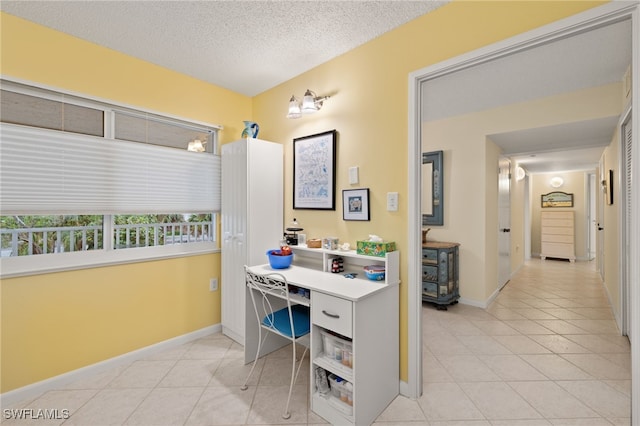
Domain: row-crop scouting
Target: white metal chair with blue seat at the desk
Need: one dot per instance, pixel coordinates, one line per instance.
(291, 322)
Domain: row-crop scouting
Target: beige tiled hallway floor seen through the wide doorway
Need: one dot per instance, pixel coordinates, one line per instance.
(547, 350)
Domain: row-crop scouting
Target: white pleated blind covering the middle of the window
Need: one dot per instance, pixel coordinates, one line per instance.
(50, 172)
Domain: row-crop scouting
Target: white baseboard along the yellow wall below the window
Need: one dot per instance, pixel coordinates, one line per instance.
(34, 390)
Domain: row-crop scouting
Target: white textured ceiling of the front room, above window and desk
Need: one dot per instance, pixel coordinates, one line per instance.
(244, 46)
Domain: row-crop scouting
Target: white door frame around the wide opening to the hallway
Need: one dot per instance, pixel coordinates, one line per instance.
(585, 21)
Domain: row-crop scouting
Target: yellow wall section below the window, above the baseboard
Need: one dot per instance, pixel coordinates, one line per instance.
(59, 322)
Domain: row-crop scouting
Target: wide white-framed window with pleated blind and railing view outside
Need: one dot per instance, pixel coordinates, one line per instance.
(81, 175)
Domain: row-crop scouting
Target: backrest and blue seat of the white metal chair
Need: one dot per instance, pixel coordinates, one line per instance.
(269, 294)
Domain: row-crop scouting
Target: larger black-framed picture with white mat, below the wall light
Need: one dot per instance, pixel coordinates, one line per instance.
(314, 173)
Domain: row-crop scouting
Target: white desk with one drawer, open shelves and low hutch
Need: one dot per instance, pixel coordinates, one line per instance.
(360, 309)
